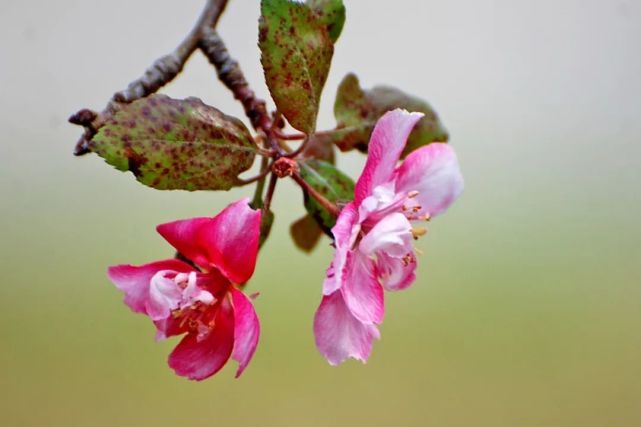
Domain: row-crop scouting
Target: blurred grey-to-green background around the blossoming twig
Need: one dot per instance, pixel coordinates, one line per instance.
(527, 311)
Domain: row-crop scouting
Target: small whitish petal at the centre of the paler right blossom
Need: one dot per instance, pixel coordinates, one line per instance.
(392, 235)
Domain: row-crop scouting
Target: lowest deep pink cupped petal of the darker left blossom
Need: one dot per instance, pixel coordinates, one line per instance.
(198, 360)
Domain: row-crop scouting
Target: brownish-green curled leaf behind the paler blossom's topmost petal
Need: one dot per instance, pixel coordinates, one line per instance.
(357, 111)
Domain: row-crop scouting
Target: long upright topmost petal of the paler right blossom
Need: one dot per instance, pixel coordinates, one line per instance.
(384, 150)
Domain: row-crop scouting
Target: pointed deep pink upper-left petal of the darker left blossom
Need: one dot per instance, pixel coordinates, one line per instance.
(182, 235)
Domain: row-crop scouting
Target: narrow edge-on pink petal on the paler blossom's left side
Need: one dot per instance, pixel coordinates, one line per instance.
(343, 232)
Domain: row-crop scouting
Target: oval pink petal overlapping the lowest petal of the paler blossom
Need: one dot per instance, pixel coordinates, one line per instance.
(362, 293)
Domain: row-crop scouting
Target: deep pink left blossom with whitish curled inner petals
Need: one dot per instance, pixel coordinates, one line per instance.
(203, 302)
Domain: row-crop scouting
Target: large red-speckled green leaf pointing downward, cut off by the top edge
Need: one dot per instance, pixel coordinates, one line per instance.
(296, 52)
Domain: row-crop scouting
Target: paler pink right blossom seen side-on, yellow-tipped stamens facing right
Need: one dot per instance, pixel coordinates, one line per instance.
(373, 235)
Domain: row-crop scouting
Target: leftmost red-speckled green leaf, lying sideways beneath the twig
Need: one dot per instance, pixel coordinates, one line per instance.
(173, 144)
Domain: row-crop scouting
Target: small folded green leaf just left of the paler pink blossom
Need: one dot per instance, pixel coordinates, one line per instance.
(333, 184)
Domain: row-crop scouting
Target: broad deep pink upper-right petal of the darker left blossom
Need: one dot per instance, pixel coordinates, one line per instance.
(231, 240)
